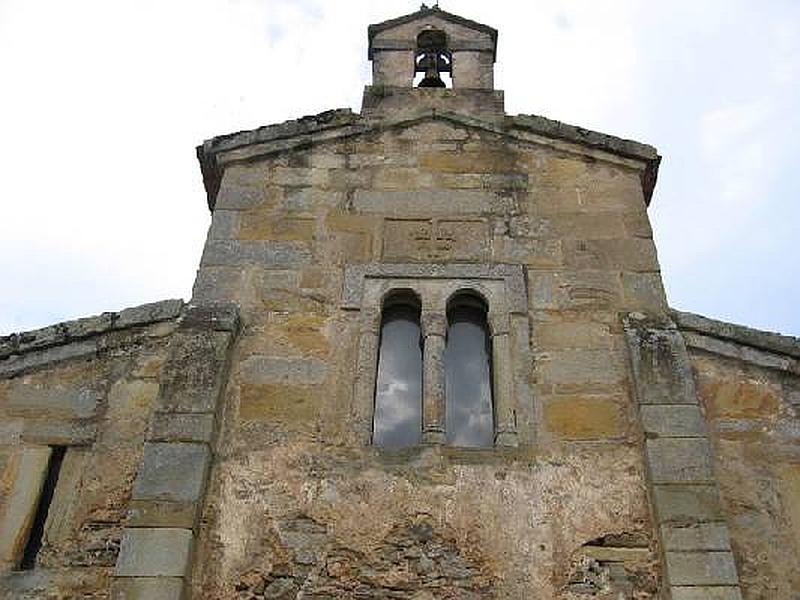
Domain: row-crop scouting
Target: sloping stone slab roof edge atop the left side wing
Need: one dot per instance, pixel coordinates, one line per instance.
(67, 332)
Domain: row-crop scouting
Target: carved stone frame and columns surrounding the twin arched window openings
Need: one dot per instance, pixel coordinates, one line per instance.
(505, 291)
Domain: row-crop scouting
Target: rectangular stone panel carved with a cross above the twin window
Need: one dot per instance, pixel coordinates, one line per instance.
(435, 239)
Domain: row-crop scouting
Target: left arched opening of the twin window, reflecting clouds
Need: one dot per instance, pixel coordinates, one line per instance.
(397, 419)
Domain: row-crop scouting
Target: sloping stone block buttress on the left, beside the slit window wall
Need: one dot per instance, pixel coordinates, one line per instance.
(156, 553)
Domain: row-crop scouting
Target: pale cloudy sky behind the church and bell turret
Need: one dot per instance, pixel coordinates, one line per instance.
(102, 103)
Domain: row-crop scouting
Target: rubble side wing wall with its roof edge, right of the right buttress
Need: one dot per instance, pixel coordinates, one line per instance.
(749, 386)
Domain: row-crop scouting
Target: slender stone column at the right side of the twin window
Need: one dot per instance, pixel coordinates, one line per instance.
(505, 426)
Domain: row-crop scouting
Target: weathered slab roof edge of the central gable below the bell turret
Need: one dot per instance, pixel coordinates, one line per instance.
(344, 117)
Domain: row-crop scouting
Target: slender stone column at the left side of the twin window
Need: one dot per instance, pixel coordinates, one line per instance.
(366, 374)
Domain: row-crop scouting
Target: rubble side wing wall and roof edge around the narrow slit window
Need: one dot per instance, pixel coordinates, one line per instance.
(90, 386)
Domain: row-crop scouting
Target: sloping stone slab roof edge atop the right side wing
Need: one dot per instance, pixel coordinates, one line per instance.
(747, 336)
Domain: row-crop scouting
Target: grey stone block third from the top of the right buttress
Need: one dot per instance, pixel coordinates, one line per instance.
(679, 460)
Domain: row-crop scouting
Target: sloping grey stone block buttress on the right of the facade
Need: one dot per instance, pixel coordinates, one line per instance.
(697, 558)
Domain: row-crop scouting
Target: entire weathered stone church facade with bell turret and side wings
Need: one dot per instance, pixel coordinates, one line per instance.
(428, 355)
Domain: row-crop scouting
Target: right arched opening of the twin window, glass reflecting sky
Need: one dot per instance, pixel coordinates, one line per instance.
(468, 373)
